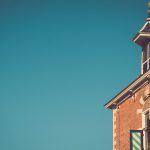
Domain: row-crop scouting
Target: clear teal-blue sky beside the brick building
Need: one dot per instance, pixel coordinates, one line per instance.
(60, 62)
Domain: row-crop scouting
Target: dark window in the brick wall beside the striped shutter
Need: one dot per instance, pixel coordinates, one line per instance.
(147, 131)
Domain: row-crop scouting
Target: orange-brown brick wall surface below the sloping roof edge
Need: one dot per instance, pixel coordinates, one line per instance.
(128, 119)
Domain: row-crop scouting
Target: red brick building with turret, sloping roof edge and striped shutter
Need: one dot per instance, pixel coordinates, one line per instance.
(131, 107)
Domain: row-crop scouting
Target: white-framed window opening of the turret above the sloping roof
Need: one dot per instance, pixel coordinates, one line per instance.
(146, 58)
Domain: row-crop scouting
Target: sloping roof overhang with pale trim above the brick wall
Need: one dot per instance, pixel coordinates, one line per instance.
(141, 81)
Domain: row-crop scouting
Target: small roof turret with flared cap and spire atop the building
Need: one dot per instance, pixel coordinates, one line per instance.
(143, 39)
